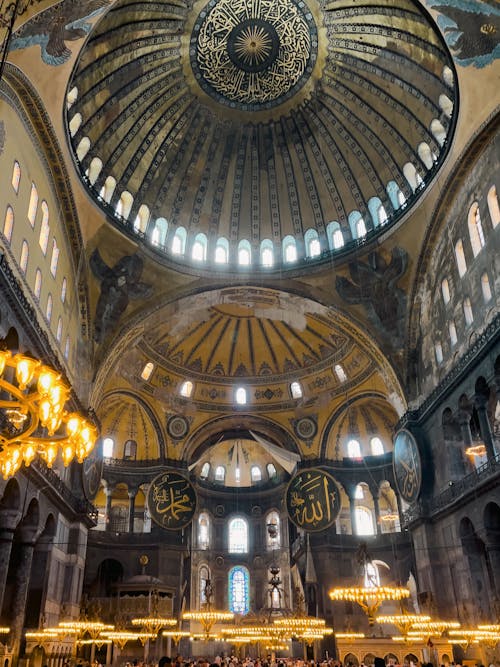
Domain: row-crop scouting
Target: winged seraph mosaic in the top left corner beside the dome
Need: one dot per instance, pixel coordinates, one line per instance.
(52, 28)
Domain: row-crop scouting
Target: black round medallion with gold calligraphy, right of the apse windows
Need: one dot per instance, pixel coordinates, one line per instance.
(313, 499)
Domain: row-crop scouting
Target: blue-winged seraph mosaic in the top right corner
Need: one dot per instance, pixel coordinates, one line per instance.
(471, 29)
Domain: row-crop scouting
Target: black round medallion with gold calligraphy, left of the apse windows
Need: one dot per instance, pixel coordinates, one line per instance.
(171, 501)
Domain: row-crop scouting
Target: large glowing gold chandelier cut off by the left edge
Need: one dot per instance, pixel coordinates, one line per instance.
(33, 419)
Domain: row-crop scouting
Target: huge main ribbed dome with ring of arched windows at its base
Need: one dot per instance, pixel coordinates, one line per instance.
(260, 132)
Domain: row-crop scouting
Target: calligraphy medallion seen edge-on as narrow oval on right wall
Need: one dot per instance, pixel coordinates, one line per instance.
(407, 466)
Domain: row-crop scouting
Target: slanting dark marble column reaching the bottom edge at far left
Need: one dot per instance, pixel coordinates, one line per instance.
(18, 606)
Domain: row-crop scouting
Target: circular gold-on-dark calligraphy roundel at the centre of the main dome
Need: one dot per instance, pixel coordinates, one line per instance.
(253, 54)
